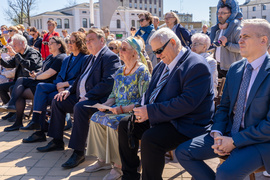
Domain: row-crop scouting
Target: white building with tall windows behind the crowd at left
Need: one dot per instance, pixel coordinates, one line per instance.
(74, 17)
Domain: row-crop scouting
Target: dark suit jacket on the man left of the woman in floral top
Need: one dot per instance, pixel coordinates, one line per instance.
(100, 80)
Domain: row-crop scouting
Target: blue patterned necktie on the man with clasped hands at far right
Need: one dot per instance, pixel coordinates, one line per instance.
(241, 99)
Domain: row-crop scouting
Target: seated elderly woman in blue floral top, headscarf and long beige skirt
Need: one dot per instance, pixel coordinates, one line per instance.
(130, 83)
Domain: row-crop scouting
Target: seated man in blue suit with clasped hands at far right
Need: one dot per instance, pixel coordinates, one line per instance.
(241, 126)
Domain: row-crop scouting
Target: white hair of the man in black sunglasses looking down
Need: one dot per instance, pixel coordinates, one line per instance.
(164, 34)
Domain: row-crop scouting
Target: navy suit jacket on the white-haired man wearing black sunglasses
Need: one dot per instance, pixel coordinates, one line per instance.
(186, 100)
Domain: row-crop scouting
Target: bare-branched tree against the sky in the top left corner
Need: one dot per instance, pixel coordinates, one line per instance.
(18, 11)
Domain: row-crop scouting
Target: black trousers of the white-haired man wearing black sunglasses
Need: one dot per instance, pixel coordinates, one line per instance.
(155, 142)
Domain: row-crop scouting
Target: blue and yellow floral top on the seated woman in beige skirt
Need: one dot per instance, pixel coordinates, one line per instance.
(126, 90)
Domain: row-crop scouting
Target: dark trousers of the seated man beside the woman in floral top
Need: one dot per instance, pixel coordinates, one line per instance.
(81, 120)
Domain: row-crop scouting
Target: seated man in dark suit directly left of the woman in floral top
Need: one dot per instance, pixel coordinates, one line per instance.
(92, 86)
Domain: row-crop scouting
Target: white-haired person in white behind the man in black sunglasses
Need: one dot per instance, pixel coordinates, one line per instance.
(200, 45)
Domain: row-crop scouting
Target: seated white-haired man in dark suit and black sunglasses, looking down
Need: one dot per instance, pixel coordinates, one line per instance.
(178, 106)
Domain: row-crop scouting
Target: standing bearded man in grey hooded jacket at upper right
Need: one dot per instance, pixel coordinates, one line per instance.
(228, 51)
